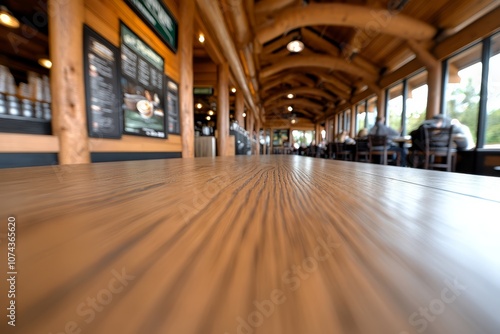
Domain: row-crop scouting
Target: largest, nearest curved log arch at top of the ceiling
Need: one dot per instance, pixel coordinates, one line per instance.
(369, 20)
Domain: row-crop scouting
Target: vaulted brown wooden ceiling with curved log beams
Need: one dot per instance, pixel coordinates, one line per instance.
(349, 45)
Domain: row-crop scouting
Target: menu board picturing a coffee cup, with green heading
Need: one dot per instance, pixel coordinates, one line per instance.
(142, 87)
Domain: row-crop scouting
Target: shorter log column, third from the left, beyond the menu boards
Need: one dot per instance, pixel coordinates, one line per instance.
(222, 109)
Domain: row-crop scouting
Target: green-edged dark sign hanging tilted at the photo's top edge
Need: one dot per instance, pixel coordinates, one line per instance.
(159, 18)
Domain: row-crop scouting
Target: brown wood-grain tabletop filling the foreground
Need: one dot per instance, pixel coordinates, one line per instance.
(270, 244)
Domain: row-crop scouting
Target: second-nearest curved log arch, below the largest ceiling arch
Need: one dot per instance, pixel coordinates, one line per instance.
(319, 61)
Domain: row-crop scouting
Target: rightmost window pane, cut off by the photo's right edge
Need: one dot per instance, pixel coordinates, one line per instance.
(492, 139)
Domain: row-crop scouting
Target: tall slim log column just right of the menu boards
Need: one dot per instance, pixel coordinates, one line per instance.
(186, 33)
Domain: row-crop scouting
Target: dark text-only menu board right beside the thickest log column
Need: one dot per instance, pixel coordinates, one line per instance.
(101, 86)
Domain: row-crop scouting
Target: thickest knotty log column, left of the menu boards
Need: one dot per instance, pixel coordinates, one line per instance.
(67, 85)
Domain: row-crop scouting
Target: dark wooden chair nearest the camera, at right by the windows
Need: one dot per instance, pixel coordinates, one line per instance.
(439, 150)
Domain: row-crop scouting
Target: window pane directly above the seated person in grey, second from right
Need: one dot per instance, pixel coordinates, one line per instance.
(463, 90)
